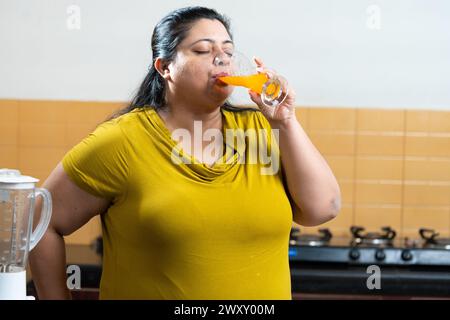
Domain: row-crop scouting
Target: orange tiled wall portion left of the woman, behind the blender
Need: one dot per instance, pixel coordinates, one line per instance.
(35, 135)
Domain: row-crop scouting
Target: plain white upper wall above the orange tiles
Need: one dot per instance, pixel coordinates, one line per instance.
(324, 48)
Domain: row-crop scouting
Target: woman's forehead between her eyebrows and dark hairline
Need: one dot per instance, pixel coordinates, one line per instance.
(207, 29)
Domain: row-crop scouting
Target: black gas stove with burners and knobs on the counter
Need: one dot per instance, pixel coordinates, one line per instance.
(365, 248)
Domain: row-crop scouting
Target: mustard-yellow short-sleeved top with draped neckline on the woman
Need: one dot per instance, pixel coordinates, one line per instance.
(184, 230)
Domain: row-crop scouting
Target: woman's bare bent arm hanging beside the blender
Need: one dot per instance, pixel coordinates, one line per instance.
(72, 208)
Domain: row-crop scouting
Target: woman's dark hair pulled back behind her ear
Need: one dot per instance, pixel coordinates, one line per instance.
(167, 35)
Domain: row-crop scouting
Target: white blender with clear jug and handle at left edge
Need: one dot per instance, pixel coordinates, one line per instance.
(17, 238)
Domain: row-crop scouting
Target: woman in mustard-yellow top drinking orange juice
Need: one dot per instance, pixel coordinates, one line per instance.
(209, 228)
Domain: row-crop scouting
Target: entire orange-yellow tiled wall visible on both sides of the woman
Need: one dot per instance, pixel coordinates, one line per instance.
(393, 166)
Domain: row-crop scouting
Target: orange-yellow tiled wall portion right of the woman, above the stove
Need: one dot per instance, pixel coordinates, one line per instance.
(393, 166)
